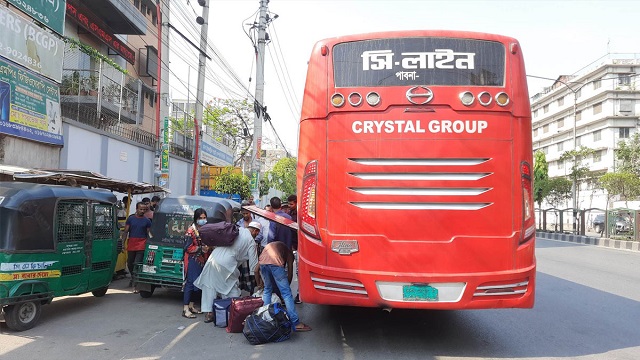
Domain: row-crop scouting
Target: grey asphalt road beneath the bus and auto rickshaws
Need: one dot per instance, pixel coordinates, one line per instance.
(587, 307)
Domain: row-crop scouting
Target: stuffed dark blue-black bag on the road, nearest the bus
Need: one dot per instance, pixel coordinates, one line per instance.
(269, 323)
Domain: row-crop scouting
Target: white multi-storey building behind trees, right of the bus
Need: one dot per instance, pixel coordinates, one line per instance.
(596, 108)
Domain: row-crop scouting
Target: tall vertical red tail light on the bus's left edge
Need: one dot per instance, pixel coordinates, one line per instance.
(307, 216)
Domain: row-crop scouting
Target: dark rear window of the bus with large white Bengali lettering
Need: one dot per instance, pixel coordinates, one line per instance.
(419, 61)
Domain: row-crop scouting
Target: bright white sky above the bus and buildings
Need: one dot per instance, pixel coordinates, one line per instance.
(557, 38)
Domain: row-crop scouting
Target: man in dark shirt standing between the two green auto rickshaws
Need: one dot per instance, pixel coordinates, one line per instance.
(138, 229)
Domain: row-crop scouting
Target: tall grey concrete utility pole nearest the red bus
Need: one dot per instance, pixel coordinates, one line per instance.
(259, 95)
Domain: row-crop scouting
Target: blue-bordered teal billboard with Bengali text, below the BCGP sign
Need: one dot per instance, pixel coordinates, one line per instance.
(29, 105)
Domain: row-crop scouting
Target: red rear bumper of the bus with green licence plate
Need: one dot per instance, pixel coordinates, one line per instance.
(331, 286)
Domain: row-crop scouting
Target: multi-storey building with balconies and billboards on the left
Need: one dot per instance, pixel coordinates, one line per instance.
(90, 99)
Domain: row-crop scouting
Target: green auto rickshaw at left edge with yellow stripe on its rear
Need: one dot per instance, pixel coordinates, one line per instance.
(54, 241)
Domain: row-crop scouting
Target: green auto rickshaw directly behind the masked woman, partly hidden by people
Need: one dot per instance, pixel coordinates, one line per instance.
(162, 264)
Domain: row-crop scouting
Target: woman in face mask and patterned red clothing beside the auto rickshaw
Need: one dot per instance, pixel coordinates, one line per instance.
(195, 256)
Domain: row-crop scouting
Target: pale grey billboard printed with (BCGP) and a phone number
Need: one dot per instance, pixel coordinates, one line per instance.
(25, 43)
